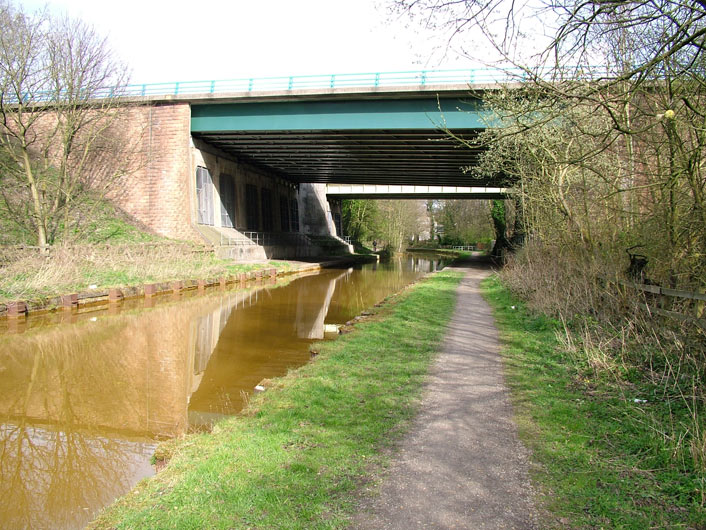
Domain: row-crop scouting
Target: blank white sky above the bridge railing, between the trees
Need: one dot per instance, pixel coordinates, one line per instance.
(219, 39)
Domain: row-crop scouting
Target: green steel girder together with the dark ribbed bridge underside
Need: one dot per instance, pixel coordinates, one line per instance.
(402, 141)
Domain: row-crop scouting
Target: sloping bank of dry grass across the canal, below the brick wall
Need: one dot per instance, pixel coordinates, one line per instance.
(109, 250)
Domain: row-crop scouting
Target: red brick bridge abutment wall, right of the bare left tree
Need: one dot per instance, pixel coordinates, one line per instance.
(159, 192)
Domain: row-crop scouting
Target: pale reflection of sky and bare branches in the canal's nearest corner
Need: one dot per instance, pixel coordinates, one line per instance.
(58, 478)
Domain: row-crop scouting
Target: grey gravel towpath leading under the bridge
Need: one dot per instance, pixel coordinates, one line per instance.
(461, 464)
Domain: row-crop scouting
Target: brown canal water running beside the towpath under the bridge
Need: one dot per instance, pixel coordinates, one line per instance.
(85, 397)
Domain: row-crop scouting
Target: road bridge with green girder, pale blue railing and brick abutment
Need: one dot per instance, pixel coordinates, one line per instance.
(358, 135)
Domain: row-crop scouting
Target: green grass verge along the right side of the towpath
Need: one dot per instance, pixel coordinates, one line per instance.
(612, 448)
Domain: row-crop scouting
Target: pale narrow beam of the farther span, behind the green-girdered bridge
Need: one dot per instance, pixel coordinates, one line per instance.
(389, 191)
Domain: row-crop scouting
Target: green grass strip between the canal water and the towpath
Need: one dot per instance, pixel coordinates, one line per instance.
(296, 456)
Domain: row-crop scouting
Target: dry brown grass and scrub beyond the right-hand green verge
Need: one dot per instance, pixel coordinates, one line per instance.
(614, 337)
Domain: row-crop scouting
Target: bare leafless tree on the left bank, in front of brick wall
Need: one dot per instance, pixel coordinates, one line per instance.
(60, 133)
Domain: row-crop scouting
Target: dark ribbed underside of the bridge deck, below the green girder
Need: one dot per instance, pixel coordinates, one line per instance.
(389, 156)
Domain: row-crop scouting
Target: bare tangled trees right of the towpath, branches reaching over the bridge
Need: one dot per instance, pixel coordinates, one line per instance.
(608, 152)
